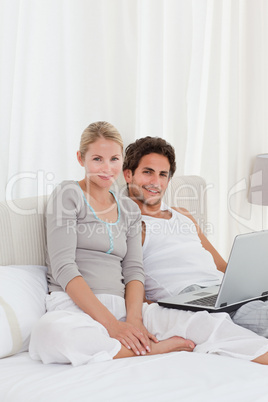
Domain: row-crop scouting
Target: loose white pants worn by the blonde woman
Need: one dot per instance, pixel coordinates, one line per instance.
(65, 334)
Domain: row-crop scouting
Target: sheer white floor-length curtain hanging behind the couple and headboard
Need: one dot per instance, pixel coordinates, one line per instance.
(193, 72)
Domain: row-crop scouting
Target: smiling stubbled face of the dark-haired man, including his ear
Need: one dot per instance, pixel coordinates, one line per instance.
(149, 182)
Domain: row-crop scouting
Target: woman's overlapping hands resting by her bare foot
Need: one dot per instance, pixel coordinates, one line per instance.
(132, 335)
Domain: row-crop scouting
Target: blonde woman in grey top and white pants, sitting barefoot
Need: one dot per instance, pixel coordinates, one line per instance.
(95, 308)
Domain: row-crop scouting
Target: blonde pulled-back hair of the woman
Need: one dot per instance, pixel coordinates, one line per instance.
(100, 129)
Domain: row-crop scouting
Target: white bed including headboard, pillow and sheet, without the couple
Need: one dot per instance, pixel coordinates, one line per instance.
(168, 377)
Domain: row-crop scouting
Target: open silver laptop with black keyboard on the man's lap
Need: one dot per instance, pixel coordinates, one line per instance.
(245, 279)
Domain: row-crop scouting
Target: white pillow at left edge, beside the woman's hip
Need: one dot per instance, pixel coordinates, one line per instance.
(22, 302)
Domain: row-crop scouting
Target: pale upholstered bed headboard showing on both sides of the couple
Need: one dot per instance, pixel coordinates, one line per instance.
(22, 233)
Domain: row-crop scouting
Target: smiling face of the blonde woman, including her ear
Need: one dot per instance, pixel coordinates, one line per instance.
(103, 162)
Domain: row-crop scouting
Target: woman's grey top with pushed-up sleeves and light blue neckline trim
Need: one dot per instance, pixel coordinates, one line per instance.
(107, 255)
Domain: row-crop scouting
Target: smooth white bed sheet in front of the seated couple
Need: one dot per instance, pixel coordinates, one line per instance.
(170, 377)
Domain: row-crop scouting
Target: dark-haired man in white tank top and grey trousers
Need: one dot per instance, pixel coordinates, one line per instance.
(177, 255)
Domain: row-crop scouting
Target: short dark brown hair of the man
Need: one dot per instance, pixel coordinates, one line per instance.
(145, 146)
